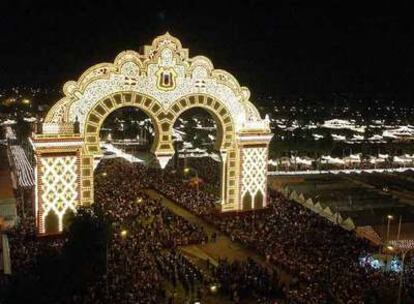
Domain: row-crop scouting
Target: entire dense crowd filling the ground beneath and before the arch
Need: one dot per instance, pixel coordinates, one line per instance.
(321, 258)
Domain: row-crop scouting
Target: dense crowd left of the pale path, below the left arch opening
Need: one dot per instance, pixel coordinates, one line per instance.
(143, 252)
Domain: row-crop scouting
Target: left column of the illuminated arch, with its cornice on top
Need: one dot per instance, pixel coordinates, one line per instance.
(59, 173)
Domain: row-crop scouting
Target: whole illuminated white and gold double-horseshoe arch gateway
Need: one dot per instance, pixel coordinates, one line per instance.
(163, 82)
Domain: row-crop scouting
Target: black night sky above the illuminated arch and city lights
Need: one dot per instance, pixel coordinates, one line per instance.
(292, 47)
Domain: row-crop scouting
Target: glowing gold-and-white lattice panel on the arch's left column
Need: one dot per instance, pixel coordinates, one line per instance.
(59, 186)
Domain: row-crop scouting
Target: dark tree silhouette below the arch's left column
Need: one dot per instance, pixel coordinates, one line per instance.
(58, 273)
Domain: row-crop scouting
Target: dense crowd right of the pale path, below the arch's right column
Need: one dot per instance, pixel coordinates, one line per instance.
(320, 255)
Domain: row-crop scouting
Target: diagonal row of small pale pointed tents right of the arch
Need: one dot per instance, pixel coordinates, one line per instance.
(318, 208)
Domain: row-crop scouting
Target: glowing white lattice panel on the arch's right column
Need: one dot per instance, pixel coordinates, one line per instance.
(254, 170)
